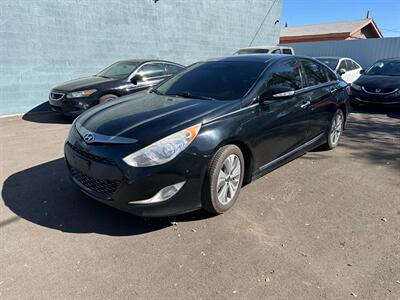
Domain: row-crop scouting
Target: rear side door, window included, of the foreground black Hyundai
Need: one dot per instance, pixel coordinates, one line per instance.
(321, 88)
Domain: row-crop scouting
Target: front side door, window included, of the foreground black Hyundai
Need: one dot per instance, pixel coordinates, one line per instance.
(281, 124)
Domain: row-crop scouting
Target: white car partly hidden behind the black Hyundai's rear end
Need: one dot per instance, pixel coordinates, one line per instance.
(345, 67)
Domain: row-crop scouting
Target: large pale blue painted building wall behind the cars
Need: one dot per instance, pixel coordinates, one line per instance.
(46, 42)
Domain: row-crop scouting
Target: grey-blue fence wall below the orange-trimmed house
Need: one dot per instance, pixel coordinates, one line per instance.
(365, 52)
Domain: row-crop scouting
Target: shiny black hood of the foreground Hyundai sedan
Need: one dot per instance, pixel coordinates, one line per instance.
(147, 117)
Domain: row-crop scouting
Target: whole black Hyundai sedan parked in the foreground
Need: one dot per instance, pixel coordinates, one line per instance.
(194, 140)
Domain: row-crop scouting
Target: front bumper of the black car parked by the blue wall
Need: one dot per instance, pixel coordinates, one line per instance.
(71, 106)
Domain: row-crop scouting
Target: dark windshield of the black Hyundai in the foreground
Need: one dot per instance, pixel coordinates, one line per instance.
(224, 80)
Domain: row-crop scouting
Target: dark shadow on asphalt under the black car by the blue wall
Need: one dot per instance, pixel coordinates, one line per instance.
(42, 113)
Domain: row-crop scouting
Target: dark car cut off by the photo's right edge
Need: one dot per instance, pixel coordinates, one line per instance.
(380, 84)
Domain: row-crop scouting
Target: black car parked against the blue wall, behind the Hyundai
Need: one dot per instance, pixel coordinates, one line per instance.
(121, 78)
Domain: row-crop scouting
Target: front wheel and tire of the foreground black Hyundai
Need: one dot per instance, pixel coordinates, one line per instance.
(221, 192)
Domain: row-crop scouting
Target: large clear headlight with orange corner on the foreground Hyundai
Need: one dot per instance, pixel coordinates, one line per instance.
(163, 150)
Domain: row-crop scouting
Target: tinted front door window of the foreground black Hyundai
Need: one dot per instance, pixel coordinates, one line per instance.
(286, 75)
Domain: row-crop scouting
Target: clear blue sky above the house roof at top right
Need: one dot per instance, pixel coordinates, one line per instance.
(386, 13)
